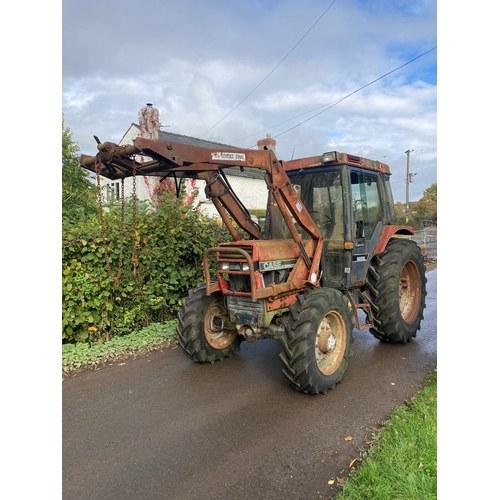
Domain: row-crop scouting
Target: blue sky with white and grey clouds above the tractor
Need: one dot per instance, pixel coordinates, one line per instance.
(355, 76)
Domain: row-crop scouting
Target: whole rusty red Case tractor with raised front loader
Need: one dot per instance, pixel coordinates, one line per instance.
(329, 258)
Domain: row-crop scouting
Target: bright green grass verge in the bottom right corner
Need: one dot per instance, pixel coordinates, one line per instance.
(402, 461)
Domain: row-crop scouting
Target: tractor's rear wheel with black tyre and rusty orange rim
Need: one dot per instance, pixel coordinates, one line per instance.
(396, 291)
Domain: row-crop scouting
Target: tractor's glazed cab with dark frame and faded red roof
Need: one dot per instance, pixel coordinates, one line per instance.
(350, 201)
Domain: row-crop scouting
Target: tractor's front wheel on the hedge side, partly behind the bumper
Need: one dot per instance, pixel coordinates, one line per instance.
(202, 330)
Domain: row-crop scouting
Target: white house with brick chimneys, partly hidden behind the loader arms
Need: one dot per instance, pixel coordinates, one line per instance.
(250, 187)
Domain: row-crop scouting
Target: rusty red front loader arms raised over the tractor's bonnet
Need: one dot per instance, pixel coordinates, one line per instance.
(186, 161)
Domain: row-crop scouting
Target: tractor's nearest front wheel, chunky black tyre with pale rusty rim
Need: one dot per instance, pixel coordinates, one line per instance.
(317, 340)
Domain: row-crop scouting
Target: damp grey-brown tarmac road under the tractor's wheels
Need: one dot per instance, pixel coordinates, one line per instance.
(163, 427)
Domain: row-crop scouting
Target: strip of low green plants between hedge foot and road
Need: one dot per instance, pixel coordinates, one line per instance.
(82, 356)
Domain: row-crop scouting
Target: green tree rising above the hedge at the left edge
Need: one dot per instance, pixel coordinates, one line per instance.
(79, 194)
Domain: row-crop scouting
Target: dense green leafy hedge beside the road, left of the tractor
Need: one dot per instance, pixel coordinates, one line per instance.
(170, 244)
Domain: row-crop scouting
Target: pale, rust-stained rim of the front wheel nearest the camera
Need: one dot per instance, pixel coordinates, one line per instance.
(331, 340)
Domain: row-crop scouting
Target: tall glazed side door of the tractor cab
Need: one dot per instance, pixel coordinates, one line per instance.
(366, 212)
